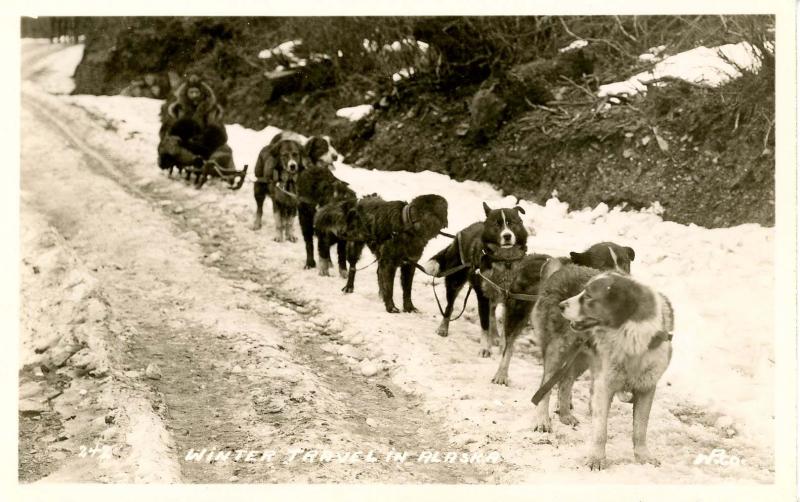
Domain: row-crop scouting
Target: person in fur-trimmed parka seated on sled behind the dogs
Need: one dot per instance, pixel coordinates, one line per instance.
(192, 133)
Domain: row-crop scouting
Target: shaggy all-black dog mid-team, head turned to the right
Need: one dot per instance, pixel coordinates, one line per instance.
(396, 233)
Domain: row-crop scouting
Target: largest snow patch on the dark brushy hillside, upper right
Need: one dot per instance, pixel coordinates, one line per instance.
(709, 67)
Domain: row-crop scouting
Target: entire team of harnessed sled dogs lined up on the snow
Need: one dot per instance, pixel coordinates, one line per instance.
(587, 311)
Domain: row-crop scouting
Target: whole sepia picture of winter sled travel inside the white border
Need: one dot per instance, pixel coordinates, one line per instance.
(555, 244)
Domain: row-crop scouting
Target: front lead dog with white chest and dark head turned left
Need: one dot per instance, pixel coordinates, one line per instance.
(628, 327)
